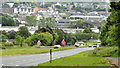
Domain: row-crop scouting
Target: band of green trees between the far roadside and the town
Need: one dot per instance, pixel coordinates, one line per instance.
(46, 35)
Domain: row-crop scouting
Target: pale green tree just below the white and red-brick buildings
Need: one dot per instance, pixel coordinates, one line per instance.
(31, 20)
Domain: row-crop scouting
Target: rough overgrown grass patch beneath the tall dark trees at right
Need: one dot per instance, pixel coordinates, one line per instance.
(108, 52)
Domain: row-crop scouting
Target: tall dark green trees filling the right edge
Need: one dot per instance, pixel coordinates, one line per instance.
(110, 34)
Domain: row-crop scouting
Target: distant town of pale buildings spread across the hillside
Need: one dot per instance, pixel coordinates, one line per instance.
(65, 15)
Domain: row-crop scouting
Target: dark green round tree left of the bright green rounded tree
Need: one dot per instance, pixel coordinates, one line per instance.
(23, 32)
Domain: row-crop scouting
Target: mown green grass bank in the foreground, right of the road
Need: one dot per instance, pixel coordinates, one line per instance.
(82, 59)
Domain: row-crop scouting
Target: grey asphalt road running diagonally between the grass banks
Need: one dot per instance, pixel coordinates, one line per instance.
(35, 59)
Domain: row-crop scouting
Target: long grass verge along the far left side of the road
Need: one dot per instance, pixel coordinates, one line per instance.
(30, 50)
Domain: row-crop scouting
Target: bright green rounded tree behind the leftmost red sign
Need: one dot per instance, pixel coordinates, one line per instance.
(45, 38)
